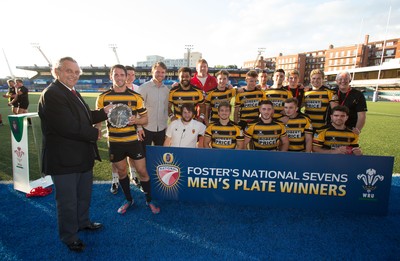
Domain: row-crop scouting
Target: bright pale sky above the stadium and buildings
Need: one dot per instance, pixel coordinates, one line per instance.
(226, 32)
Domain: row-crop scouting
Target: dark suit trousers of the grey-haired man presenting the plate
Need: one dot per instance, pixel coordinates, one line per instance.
(73, 195)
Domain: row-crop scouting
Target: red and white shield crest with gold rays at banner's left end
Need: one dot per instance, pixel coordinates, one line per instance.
(168, 175)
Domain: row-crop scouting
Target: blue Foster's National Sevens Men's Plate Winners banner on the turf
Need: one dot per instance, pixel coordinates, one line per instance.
(358, 184)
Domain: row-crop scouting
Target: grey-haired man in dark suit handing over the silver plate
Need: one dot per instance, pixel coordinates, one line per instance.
(69, 150)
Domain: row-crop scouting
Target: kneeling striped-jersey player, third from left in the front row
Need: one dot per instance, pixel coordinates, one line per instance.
(267, 134)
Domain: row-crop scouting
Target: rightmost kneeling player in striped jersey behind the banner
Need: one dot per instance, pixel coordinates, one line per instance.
(337, 138)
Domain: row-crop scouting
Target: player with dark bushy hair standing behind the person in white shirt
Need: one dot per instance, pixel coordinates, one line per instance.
(185, 93)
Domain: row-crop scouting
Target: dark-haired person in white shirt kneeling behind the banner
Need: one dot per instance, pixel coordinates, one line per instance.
(185, 132)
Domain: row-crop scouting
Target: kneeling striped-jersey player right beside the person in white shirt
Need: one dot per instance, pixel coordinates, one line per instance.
(224, 134)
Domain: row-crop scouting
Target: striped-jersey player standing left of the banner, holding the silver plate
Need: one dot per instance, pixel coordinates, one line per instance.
(123, 142)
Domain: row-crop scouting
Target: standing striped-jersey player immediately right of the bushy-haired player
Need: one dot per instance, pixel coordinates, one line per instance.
(220, 94)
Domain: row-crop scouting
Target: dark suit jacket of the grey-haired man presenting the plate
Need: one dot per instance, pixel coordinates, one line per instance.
(69, 138)
